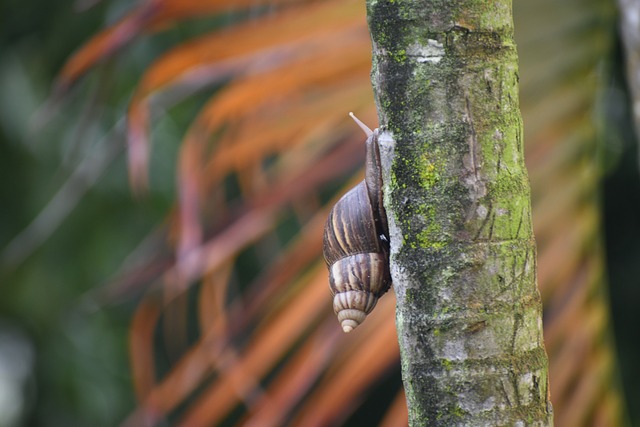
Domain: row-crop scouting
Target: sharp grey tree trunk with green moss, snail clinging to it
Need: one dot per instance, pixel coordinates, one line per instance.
(463, 255)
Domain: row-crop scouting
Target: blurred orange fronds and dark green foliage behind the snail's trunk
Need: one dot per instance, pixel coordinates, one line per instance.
(166, 168)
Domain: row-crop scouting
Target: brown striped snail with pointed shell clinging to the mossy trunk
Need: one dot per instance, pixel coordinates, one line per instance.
(356, 243)
